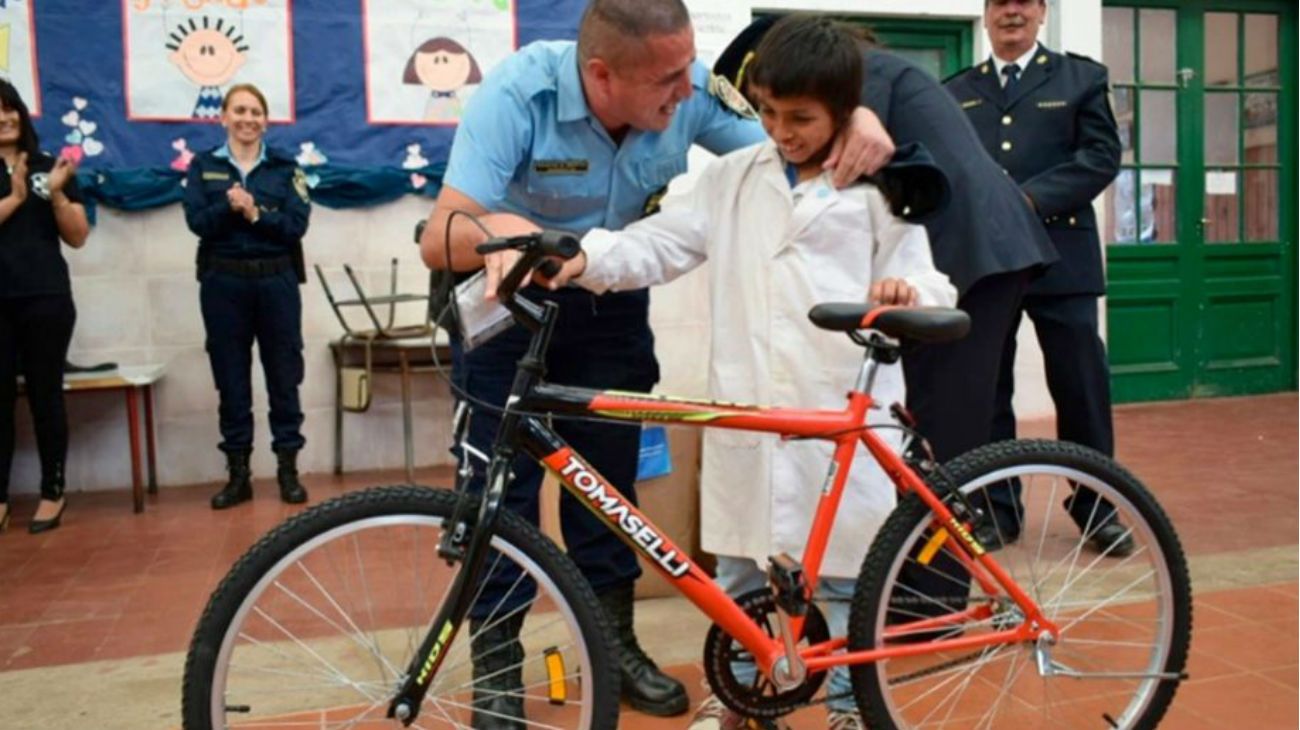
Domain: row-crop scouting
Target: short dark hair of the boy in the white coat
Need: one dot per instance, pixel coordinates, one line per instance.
(816, 57)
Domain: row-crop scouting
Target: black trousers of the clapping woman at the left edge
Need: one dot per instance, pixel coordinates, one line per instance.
(34, 337)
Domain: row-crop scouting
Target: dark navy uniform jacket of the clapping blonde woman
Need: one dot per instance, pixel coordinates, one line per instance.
(278, 186)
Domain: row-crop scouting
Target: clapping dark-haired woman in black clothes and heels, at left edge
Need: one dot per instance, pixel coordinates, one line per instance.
(40, 205)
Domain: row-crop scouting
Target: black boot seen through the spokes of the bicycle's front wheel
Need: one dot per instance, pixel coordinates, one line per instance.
(499, 666)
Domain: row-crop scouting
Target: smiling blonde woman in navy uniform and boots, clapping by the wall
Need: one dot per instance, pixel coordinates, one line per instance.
(249, 206)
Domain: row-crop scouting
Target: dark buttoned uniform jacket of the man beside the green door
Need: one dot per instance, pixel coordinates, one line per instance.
(1056, 136)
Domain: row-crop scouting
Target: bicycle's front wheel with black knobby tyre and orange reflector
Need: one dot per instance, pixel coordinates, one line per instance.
(317, 625)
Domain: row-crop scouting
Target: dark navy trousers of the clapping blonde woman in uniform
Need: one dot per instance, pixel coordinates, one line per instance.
(236, 312)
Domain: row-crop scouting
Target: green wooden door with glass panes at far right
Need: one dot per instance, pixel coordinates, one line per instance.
(1202, 257)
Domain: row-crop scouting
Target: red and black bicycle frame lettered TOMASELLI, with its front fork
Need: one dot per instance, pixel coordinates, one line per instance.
(847, 429)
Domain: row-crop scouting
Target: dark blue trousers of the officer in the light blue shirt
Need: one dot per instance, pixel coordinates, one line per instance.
(601, 344)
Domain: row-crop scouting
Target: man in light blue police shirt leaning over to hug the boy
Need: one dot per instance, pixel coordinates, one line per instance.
(578, 136)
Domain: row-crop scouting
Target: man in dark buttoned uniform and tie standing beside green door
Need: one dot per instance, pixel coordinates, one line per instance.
(1046, 119)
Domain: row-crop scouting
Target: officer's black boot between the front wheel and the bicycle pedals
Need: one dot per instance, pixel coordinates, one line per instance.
(644, 686)
